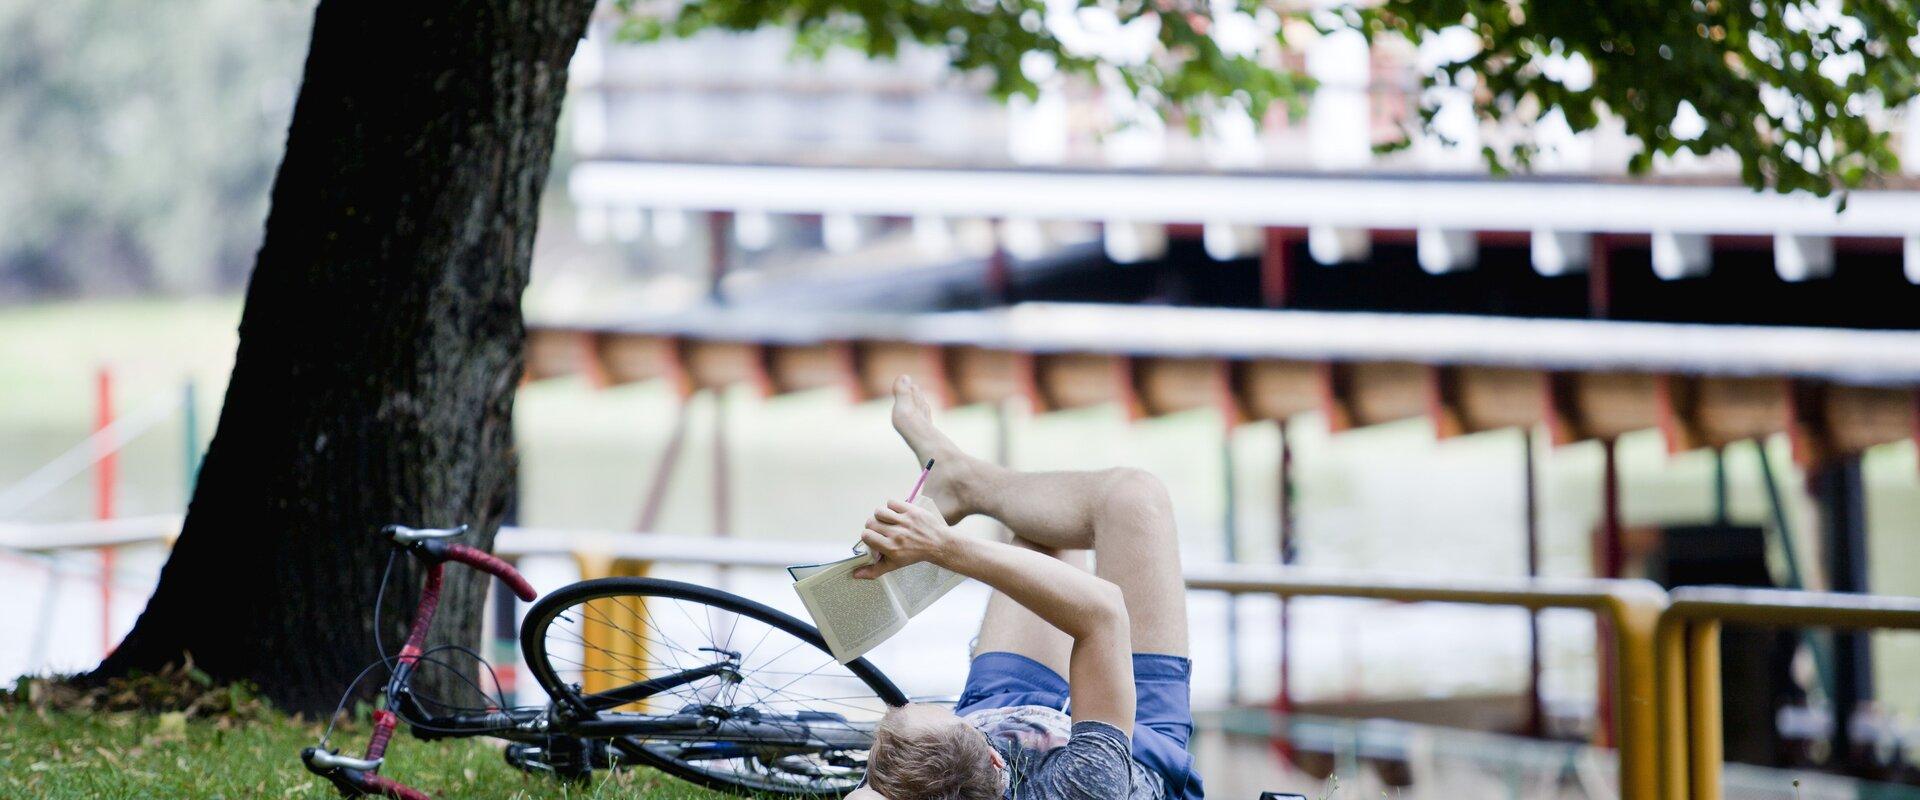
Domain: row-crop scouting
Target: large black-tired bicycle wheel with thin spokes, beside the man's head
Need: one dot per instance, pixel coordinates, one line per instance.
(625, 651)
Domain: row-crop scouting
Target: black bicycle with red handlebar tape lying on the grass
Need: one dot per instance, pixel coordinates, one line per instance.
(754, 707)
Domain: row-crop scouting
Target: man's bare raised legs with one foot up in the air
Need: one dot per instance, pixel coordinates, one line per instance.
(1124, 517)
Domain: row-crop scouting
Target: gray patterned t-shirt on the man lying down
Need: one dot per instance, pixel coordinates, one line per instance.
(1053, 759)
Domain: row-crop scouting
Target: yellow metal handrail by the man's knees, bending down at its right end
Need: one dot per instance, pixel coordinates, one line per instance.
(1631, 605)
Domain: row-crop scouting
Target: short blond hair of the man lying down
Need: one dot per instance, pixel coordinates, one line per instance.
(913, 761)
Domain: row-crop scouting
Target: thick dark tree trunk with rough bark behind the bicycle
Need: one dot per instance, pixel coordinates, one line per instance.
(379, 348)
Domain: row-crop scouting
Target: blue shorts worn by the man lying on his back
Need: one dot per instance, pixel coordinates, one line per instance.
(1163, 718)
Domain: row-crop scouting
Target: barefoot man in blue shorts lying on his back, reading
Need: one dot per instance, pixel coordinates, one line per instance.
(1116, 726)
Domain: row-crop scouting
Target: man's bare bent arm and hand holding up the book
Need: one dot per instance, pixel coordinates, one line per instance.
(1086, 607)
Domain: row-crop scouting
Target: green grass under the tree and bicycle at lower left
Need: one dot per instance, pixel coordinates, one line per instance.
(130, 755)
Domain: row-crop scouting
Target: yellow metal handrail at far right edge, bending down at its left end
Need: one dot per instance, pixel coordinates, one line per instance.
(1689, 655)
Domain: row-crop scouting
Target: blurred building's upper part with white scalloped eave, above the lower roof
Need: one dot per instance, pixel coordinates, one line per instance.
(744, 149)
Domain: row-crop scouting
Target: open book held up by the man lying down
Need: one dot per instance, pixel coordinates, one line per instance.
(857, 615)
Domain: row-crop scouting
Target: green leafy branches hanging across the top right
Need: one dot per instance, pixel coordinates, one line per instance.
(1796, 91)
